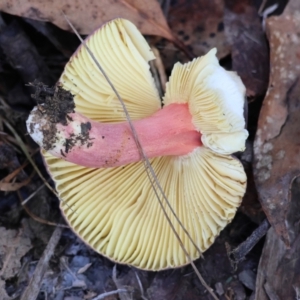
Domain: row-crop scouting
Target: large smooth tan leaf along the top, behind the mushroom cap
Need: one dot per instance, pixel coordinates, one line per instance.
(88, 15)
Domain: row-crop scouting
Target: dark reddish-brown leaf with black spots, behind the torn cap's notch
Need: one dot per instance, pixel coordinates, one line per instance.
(199, 25)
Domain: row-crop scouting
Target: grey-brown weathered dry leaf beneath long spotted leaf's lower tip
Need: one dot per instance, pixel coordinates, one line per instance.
(278, 271)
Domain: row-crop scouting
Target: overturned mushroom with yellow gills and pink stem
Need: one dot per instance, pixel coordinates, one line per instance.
(105, 194)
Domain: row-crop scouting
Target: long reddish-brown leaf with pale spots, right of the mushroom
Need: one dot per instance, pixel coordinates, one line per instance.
(277, 148)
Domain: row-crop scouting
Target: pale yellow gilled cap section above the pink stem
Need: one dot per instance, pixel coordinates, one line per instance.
(124, 55)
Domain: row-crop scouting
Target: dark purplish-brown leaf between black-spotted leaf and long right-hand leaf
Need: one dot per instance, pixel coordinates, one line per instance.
(250, 54)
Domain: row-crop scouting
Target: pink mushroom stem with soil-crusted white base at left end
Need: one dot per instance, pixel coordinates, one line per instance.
(84, 142)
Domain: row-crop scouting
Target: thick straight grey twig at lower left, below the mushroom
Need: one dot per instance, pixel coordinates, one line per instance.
(35, 283)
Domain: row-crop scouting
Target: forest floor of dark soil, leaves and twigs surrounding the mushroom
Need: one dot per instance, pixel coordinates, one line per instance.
(258, 39)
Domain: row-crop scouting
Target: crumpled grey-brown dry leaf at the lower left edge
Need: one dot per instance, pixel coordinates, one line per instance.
(13, 246)
